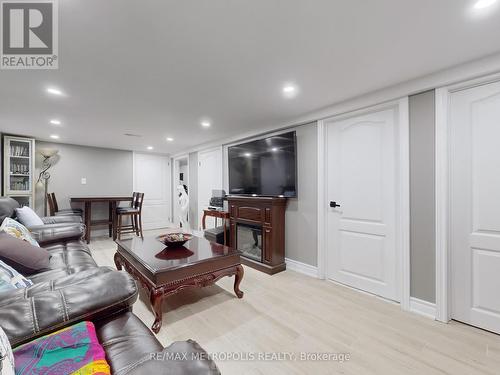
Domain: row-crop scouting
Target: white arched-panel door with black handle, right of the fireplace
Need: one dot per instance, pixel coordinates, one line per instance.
(361, 178)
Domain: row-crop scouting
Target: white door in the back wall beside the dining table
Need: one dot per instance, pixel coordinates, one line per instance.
(152, 177)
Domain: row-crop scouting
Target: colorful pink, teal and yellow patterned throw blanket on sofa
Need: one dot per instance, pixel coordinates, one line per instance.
(72, 350)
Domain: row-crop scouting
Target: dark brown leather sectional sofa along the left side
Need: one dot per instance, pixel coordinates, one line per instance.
(75, 289)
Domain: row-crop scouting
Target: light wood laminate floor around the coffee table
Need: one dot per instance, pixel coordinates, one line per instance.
(292, 313)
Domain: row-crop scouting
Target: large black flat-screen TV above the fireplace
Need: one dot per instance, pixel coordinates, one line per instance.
(264, 167)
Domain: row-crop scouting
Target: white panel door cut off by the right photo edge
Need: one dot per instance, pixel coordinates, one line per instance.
(475, 206)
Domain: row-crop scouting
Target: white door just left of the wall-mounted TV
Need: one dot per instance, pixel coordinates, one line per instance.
(209, 178)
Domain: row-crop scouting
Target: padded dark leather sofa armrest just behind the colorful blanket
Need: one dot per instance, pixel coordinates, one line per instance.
(95, 294)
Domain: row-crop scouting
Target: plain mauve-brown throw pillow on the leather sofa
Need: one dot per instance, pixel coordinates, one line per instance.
(21, 255)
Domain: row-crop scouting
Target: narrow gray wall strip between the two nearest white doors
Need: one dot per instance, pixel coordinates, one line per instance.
(422, 197)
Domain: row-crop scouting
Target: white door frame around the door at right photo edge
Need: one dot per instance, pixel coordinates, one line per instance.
(443, 279)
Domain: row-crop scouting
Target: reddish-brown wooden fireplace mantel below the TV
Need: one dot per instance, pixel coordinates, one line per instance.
(267, 213)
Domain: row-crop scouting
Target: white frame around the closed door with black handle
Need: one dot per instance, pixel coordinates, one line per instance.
(403, 189)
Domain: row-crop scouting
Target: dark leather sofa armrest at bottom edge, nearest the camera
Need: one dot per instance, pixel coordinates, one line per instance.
(182, 357)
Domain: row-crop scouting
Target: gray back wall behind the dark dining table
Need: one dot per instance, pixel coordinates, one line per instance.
(108, 172)
